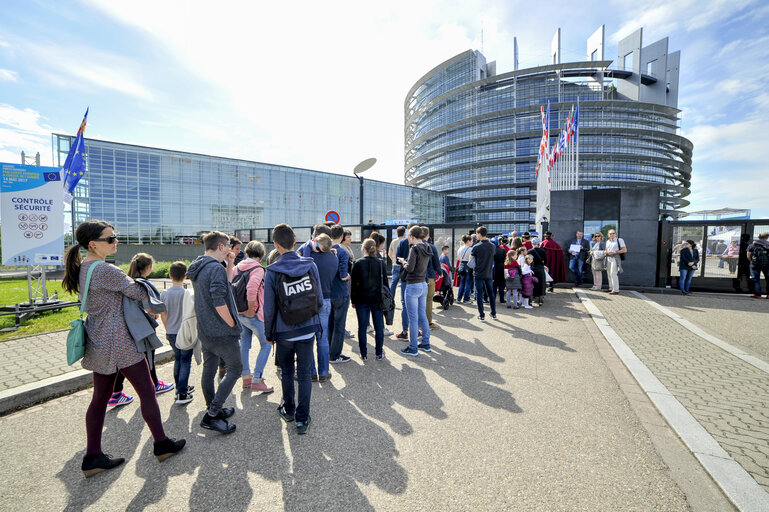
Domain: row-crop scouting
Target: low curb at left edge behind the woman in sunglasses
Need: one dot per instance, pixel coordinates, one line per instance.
(33, 393)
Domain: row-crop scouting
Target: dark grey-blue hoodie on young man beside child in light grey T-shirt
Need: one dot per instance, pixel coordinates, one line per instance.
(209, 280)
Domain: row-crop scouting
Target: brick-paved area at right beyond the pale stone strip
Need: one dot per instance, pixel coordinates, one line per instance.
(724, 393)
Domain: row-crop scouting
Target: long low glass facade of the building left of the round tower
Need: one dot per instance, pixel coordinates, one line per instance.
(155, 195)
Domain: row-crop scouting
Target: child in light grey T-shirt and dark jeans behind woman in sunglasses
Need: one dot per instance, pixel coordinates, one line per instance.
(172, 319)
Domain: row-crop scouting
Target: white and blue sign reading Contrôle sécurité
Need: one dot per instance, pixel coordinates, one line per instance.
(32, 202)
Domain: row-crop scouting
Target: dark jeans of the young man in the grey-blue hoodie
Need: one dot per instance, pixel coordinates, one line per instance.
(214, 349)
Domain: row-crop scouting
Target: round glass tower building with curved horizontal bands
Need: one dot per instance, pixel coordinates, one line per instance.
(475, 134)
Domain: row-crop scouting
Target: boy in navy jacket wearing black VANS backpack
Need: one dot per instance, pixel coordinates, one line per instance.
(292, 339)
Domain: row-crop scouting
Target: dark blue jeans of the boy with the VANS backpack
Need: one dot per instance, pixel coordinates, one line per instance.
(287, 350)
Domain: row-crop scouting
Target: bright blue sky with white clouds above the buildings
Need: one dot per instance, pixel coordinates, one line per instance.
(321, 85)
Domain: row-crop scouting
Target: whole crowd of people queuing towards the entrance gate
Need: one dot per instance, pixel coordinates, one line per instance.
(293, 299)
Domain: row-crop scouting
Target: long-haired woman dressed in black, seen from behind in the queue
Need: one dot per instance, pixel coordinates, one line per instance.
(368, 277)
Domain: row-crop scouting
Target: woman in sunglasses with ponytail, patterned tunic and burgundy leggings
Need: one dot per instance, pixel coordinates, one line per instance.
(109, 346)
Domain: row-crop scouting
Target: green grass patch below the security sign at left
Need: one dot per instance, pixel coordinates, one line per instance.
(14, 291)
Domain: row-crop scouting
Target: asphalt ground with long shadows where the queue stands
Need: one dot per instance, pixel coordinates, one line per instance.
(522, 413)
